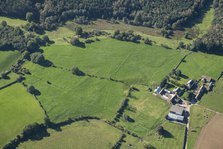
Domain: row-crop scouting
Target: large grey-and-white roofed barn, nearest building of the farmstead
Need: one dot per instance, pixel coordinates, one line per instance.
(176, 113)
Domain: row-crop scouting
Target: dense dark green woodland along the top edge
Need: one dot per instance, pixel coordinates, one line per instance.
(151, 13)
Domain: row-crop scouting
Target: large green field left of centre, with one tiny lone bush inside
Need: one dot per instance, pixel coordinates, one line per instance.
(69, 96)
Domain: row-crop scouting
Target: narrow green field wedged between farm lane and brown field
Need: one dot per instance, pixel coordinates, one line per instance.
(198, 119)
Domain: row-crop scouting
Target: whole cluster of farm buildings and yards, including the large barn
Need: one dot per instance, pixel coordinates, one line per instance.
(178, 110)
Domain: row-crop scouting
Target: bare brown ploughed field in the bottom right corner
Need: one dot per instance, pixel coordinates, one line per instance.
(211, 136)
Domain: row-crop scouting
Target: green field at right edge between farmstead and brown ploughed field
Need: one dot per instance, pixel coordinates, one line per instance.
(214, 100)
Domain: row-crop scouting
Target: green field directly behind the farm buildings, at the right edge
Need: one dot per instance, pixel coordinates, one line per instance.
(198, 64)
